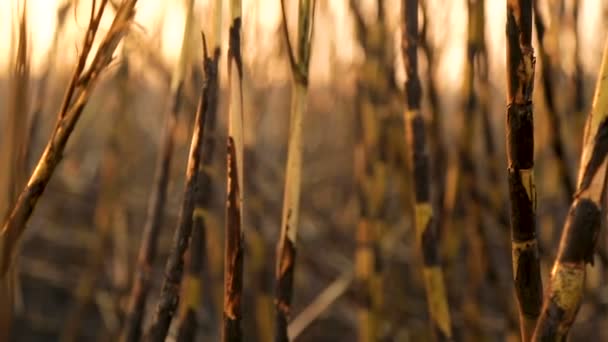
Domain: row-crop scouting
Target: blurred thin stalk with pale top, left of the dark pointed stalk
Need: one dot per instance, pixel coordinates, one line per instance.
(156, 205)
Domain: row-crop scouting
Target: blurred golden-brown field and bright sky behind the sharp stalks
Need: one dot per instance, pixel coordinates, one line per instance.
(106, 174)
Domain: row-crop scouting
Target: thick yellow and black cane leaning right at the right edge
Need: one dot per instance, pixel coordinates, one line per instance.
(579, 236)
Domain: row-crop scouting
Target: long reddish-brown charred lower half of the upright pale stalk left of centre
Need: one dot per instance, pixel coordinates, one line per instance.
(233, 277)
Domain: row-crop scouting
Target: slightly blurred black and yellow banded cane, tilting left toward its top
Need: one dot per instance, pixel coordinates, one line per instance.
(426, 235)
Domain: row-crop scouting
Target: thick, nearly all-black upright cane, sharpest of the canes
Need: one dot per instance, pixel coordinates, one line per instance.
(520, 154)
